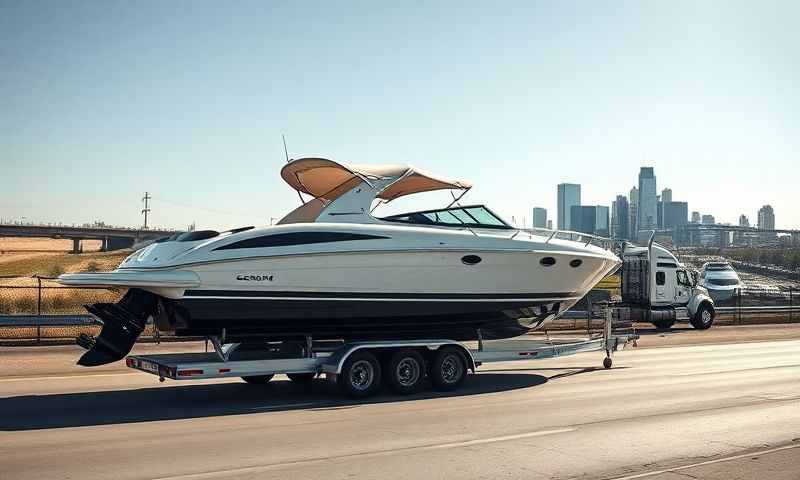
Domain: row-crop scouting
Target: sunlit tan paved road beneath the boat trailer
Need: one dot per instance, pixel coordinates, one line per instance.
(721, 404)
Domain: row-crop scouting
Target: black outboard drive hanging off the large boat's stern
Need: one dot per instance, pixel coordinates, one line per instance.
(122, 322)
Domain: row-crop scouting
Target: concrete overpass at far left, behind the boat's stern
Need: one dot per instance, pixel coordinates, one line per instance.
(111, 238)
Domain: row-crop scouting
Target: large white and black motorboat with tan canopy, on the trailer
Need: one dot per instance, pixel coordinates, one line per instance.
(333, 269)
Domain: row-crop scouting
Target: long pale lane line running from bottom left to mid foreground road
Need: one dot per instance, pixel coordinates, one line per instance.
(422, 448)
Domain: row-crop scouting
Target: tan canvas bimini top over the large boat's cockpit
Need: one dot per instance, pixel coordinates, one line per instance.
(326, 179)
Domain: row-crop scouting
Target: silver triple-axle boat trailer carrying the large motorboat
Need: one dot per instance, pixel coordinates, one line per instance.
(359, 367)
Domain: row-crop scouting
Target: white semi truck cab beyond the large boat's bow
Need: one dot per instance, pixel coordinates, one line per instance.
(661, 290)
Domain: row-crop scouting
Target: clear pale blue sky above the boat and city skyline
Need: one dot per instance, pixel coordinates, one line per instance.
(101, 101)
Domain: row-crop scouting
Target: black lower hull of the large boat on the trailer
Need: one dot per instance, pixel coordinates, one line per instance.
(362, 319)
